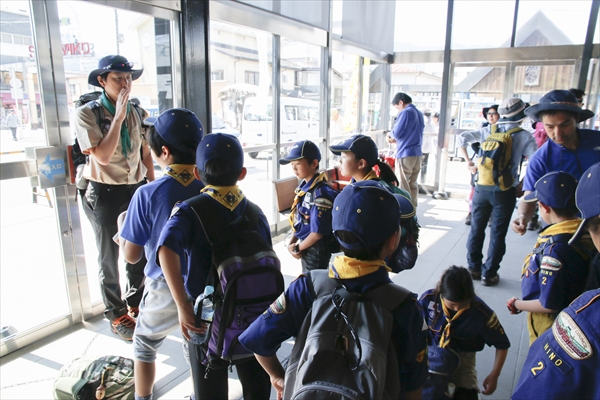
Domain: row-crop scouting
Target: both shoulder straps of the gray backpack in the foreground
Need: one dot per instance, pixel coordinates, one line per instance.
(388, 295)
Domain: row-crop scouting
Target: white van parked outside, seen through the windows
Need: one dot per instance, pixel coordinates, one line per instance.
(299, 121)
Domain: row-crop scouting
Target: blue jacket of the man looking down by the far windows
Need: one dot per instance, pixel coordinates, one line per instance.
(408, 132)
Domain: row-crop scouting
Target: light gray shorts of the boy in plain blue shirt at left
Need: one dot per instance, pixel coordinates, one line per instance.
(156, 320)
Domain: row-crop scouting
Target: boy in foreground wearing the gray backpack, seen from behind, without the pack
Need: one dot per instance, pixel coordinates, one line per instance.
(366, 222)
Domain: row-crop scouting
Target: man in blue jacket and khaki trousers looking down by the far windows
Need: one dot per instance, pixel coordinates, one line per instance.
(408, 134)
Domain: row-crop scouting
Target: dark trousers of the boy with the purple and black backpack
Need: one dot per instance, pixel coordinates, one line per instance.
(256, 384)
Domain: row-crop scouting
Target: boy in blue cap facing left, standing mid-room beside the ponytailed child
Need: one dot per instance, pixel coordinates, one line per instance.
(310, 217)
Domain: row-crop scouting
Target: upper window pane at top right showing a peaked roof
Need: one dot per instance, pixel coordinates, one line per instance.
(545, 23)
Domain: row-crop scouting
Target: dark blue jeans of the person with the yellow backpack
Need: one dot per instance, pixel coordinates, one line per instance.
(499, 205)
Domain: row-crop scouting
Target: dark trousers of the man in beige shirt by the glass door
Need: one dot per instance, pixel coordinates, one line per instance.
(102, 205)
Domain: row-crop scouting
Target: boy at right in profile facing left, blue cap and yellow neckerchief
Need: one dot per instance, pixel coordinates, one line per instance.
(555, 272)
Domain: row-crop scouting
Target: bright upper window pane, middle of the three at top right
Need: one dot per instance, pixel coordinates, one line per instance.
(482, 24)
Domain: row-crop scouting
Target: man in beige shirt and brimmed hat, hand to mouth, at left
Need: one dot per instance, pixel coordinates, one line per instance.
(119, 162)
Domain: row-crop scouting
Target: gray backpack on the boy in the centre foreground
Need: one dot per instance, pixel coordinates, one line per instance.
(343, 349)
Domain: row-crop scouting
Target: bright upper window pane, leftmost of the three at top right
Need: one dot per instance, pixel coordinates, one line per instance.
(418, 27)
